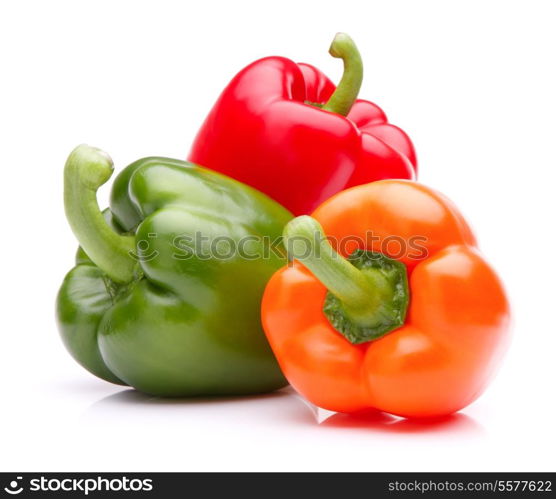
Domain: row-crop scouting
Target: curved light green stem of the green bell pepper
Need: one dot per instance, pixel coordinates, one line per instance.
(87, 168)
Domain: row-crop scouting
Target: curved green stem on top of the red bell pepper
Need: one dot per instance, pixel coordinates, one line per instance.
(344, 96)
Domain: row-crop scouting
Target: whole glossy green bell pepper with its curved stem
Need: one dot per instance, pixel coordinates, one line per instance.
(173, 320)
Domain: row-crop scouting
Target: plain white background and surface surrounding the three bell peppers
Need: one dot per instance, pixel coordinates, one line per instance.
(473, 83)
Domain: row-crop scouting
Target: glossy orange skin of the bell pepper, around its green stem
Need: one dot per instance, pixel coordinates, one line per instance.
(455, 328)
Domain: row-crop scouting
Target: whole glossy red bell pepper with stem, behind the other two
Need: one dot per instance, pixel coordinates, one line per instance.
(278, 120)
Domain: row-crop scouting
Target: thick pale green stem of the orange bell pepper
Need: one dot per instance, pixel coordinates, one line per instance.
(359, 292)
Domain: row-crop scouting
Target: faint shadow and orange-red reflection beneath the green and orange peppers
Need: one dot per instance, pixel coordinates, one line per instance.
(283, 407)
